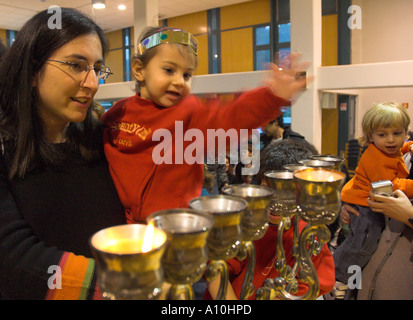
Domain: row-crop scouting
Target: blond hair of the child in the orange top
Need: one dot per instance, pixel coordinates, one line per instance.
(384, 115)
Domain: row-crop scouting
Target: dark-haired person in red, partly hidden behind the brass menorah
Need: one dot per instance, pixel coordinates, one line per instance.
(277, 154)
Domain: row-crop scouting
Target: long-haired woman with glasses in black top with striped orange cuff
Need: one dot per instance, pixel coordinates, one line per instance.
(55, 187)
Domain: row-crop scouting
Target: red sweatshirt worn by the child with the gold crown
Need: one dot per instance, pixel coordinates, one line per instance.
(145, 187)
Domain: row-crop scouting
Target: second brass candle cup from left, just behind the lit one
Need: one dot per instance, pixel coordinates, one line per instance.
(186, 255)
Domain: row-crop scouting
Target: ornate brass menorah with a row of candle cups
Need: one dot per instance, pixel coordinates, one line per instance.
(134, 260)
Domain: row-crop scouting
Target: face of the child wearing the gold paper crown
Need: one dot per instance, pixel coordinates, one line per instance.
(167, 78)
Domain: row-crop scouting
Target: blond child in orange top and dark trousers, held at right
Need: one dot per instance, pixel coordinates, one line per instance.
(385, 127)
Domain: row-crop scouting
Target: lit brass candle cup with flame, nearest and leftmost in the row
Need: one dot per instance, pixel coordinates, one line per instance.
(124, 271)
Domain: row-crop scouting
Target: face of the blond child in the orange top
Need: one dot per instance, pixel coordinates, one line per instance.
(389, 140)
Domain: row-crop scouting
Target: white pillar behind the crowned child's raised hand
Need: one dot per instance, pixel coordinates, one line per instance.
(306, 36)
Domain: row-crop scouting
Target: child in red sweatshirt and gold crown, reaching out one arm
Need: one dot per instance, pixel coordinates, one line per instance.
(149, 174)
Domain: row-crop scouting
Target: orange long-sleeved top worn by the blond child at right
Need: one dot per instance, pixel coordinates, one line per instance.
(373, 166)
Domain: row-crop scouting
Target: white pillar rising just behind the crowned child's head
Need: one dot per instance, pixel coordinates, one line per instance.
(146, 14)
